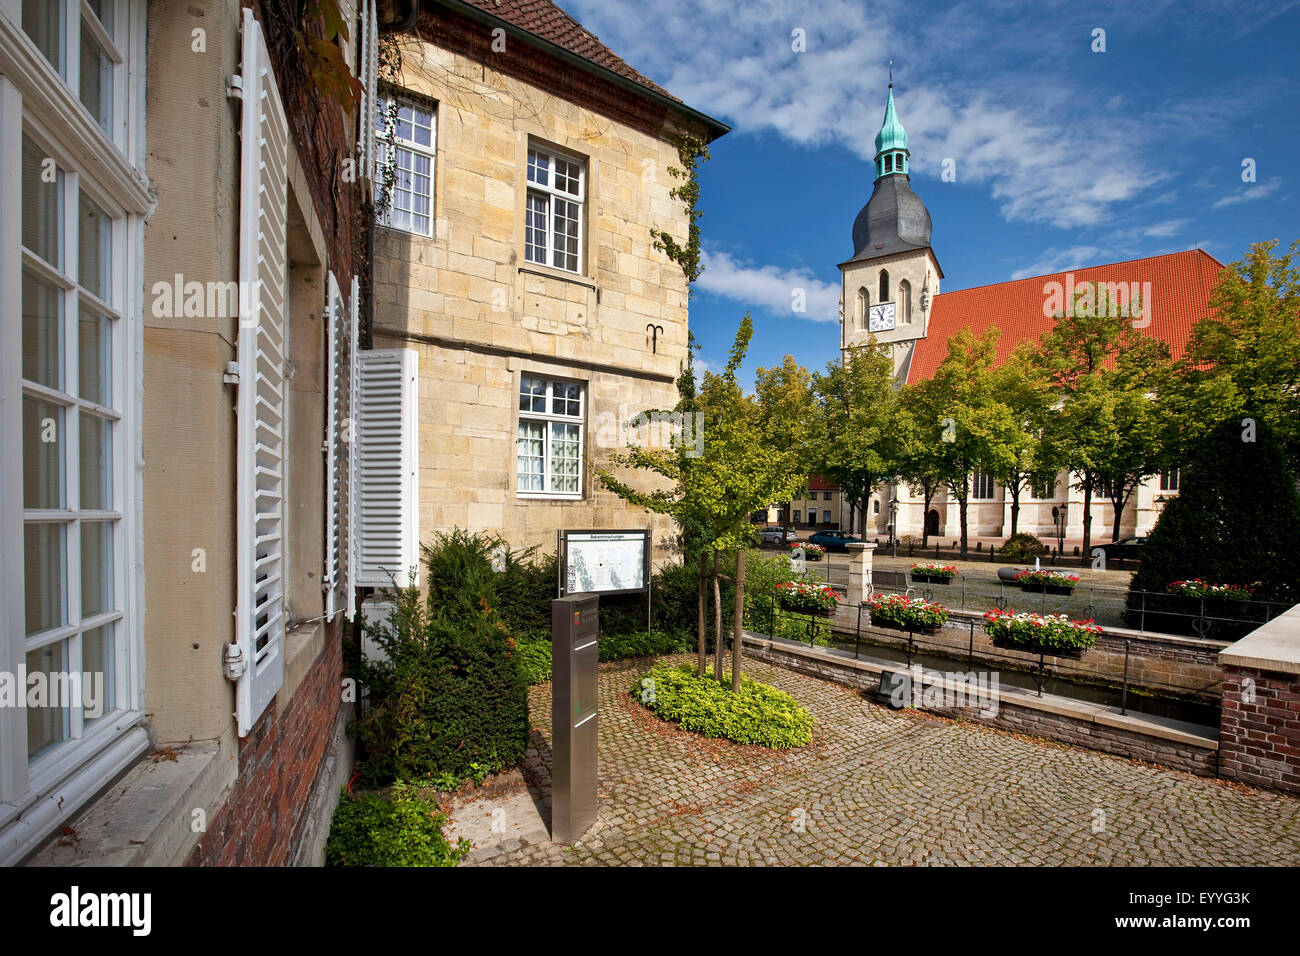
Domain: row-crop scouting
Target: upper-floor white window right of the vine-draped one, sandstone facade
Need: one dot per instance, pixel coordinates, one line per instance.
(553, 219)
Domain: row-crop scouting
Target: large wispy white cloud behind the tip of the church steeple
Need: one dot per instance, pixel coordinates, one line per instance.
(1043, 150)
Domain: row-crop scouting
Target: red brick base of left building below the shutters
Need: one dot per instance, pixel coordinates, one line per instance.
(281, 763)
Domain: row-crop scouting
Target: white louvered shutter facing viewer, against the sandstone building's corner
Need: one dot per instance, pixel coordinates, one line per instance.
(388, 504)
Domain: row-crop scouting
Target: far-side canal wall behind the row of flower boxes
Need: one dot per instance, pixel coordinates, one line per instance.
(1189, 667)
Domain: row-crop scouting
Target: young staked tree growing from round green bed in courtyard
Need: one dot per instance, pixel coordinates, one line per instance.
(744, 464)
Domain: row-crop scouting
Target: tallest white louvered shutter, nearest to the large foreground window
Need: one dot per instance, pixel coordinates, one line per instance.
(263, 384)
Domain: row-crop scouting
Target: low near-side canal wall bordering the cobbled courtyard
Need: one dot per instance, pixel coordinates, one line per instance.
(1098, 728)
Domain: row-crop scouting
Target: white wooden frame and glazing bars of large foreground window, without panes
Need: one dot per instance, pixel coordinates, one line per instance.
(44, 101)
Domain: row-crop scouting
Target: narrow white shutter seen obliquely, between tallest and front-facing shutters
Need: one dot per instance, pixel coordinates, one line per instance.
(339, 410)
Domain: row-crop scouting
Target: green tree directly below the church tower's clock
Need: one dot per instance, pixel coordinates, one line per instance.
(859, 435)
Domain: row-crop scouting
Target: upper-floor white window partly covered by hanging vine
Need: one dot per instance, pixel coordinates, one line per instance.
(411, 154)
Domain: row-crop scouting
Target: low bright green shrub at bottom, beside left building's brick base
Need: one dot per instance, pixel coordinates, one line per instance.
(401, 829)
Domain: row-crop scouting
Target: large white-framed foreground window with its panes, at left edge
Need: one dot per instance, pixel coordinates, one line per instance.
(71, 246)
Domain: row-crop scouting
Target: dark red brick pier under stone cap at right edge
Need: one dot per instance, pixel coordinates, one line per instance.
(1260, 738)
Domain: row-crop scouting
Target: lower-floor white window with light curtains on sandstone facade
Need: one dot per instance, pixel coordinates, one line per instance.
(549, 449)
